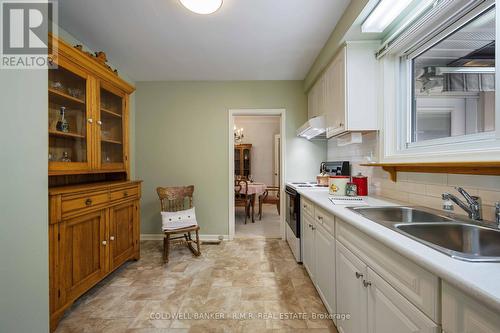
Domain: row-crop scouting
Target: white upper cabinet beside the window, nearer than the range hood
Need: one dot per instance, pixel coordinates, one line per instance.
(350, 84)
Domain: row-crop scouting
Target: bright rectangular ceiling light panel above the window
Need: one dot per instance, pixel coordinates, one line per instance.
(384, 14)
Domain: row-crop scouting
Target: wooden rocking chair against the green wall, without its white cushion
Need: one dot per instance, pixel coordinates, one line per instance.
(177, 199)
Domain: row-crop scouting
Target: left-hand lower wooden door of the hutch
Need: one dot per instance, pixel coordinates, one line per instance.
(83, 252)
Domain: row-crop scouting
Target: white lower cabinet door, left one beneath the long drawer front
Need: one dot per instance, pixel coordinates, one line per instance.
(351, 295)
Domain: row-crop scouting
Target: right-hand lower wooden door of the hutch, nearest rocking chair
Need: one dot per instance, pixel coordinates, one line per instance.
(121, 233)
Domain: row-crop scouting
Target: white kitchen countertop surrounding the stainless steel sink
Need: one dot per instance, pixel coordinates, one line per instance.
(479, 280)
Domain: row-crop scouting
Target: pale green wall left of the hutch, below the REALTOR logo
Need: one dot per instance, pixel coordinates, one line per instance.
(24, 277)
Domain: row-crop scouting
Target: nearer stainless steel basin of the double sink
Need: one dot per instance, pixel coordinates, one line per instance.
(463, 241)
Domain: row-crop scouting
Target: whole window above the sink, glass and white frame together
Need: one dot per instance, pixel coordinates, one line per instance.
(439, 95)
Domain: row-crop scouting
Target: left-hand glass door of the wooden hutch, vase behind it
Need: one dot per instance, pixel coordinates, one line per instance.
(68, 120)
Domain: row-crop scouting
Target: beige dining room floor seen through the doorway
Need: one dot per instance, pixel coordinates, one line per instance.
(268, 227)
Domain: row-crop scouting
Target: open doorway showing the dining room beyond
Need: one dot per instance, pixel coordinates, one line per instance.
(256, 173)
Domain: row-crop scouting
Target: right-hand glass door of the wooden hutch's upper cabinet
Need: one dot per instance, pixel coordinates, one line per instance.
(111, 120)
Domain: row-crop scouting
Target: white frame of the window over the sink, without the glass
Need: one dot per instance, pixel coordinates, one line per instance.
(396, 106)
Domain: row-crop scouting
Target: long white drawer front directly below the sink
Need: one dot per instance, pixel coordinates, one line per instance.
(418, 285)
